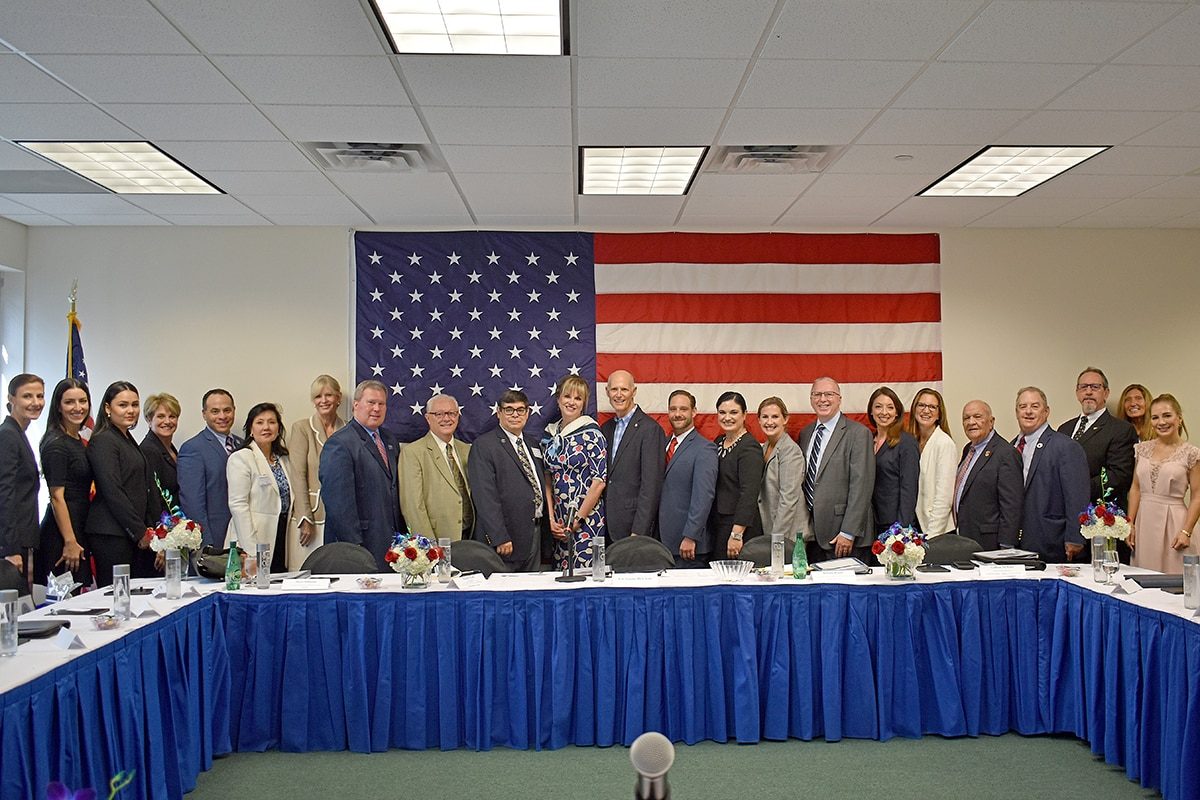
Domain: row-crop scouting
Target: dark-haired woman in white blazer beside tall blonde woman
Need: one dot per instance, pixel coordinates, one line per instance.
(260, 490)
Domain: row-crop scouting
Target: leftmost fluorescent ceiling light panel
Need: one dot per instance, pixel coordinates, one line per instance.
(124, 167)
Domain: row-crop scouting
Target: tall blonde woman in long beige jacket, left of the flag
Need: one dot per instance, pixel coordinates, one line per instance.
(308, 530)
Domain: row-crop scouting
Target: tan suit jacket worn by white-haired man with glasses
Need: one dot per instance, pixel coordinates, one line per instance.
(429, 497)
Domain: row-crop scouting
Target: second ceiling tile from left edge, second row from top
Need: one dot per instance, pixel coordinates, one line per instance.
(143, 79)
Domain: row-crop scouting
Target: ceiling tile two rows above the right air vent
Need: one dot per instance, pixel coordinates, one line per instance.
(826, 85)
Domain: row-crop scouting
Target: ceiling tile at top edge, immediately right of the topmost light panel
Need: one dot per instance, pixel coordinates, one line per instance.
(674, 29)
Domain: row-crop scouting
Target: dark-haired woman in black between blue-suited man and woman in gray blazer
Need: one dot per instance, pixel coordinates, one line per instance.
(735, 516)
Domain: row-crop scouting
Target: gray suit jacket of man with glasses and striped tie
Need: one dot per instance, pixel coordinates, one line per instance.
(842, 497)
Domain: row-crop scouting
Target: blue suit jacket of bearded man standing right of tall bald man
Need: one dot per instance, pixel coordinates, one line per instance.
(688, 490)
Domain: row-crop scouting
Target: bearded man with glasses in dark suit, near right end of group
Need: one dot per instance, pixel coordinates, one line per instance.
(1107, 442)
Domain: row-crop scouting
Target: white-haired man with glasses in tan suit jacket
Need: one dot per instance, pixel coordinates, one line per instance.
(435, 495)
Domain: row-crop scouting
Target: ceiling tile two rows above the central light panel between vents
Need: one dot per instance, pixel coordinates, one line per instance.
(658, 83)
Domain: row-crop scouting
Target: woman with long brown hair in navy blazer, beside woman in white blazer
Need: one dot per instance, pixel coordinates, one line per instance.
(897, 462)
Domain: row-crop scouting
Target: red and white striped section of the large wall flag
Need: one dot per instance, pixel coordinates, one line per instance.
(767, 315)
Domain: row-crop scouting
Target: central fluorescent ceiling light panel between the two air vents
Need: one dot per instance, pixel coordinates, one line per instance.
(640, 171)
